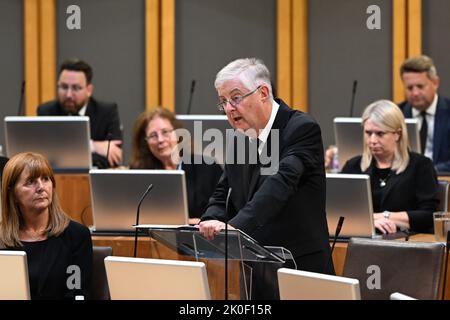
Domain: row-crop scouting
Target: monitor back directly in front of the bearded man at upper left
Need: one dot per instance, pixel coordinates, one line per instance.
(63, 140)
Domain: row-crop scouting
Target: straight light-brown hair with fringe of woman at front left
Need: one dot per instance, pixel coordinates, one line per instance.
(12, 219)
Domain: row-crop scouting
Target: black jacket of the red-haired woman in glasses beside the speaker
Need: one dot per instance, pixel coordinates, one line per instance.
(201, 180)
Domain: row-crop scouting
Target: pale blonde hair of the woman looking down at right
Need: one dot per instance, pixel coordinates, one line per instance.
(386, 115)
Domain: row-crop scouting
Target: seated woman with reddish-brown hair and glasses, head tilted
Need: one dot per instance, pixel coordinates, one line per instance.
(155, 141)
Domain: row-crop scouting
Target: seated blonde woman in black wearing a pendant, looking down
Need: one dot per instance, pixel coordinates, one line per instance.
(404, 184)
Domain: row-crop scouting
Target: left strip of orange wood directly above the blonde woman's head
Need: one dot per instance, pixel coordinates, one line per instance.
(399, 48)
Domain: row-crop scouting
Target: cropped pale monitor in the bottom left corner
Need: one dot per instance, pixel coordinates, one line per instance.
(14, 282)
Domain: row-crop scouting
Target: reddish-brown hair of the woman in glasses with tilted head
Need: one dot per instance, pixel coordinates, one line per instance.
(141, 156)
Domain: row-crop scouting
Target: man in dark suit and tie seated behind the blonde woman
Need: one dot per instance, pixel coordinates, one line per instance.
(421, 84)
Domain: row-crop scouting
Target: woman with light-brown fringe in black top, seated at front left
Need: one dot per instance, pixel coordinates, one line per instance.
(33, 221)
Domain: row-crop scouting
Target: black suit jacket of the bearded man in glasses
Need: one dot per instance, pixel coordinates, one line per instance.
(103, 118)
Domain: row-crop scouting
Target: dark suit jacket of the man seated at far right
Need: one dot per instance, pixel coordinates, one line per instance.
(441, 136)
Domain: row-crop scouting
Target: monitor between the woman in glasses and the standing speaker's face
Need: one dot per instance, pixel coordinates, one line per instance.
(202, 136)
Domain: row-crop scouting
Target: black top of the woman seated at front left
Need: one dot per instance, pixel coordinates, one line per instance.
(48, 263)
